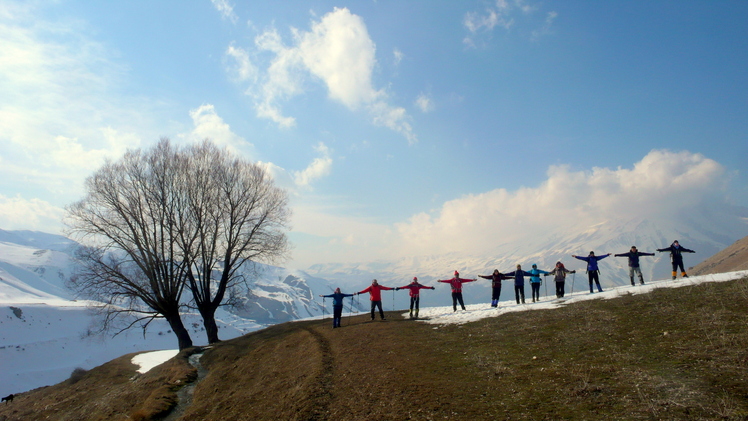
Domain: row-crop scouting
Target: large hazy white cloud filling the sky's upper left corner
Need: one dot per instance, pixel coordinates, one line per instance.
(59, 117)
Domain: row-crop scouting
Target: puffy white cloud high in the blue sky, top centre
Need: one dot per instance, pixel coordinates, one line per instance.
(338, 52)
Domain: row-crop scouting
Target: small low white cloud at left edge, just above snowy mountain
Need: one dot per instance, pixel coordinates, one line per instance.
(17, 213)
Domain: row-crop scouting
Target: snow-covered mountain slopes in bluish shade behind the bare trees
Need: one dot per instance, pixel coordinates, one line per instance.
(45, 334)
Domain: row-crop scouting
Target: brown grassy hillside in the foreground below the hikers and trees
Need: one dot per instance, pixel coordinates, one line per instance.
(673, 354)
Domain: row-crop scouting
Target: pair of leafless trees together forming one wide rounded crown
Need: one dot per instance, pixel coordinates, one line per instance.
(169, 219)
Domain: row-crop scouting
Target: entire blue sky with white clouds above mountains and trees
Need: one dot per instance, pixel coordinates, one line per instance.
(396, 127)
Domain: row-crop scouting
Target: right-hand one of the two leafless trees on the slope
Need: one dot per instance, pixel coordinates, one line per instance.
(236, 216)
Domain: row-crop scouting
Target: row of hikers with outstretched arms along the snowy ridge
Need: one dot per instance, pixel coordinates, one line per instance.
(559, 273)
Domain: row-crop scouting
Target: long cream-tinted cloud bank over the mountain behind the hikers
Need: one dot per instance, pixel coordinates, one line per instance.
(656, 186)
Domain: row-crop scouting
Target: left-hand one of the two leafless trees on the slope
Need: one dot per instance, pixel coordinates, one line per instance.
(131, 262)
